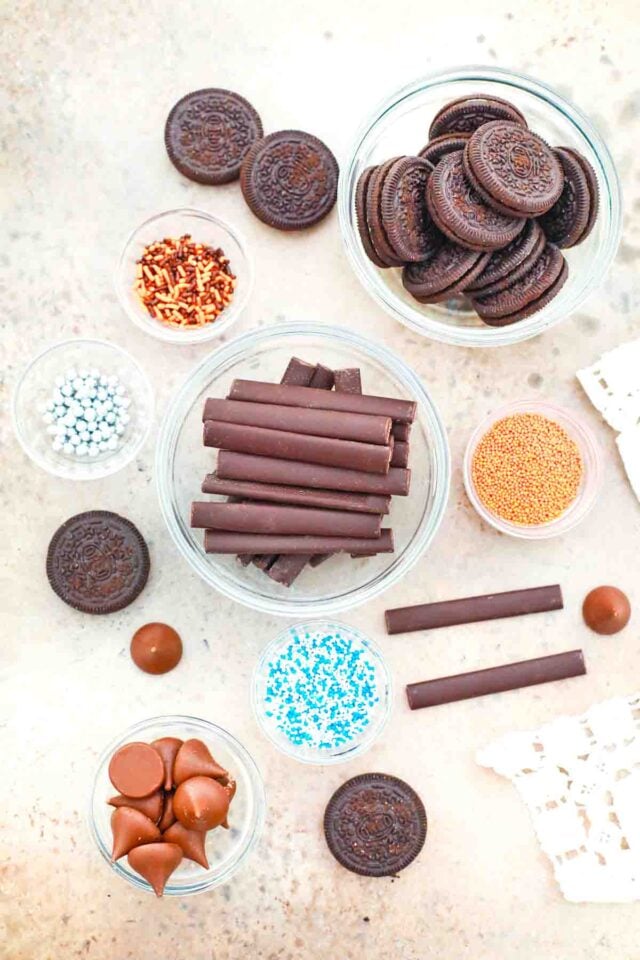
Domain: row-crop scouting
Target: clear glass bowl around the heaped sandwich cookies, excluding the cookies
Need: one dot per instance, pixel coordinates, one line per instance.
(400, 126)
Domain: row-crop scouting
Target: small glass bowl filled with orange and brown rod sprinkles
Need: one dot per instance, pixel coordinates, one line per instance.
(184, 276)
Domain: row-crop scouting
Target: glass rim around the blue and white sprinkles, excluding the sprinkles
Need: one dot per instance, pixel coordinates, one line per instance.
(368, 740)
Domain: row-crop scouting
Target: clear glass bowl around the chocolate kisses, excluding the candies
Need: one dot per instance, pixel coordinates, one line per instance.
(226, 850)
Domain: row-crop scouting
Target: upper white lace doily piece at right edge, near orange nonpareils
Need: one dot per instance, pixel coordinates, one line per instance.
(613, 386)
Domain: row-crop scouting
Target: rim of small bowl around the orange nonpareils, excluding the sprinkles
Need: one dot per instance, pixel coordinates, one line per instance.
(592, 471)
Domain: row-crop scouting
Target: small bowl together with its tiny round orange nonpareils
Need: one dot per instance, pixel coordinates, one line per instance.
(532, 470)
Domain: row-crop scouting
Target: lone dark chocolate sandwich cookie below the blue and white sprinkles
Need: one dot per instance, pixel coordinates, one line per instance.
(375, 825)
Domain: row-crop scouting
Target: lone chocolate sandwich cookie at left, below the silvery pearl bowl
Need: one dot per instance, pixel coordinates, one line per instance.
(98, 562)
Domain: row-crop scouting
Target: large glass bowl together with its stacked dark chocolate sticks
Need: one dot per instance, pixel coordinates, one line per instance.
(302, 469)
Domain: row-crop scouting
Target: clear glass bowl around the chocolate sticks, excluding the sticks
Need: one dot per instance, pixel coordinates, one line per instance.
(182, 462)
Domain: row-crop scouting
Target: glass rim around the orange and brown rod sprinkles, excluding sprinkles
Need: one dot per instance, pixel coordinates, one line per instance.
(201, 334)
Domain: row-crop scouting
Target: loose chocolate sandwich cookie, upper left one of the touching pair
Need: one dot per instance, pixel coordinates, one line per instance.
(208, 134)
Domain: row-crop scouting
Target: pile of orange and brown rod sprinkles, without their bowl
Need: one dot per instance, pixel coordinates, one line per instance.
(182, 283)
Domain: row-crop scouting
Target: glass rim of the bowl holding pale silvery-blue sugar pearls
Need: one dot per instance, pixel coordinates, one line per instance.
(145, 429)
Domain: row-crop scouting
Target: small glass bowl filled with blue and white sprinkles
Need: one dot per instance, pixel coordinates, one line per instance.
(321, 692)
